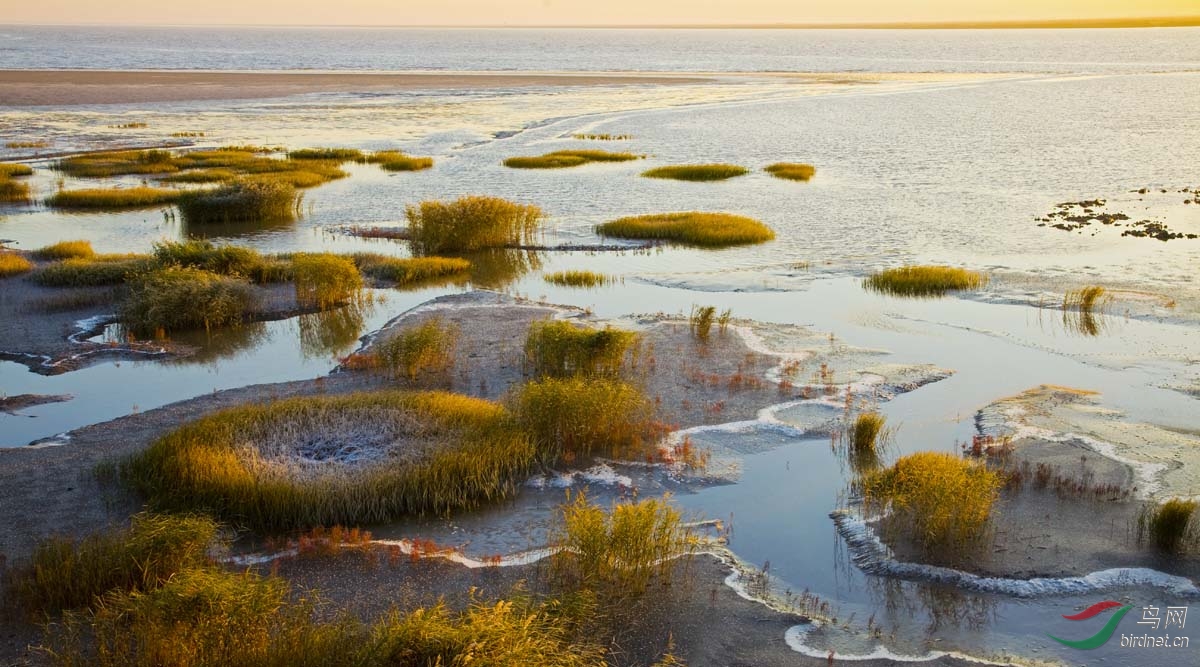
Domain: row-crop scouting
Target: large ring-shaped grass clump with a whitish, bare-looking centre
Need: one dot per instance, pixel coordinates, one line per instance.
(346, 460)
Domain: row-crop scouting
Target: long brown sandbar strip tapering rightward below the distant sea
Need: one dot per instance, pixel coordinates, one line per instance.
(59, 88)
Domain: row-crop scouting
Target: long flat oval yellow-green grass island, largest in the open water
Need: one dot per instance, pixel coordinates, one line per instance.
(693, 229)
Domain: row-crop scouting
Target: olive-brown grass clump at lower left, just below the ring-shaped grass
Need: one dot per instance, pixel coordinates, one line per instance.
(67, 574)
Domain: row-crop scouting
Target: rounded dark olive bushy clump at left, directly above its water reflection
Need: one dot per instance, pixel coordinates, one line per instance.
(179, 298)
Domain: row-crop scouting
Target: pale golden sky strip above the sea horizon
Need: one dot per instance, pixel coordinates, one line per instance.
(568, 13)
